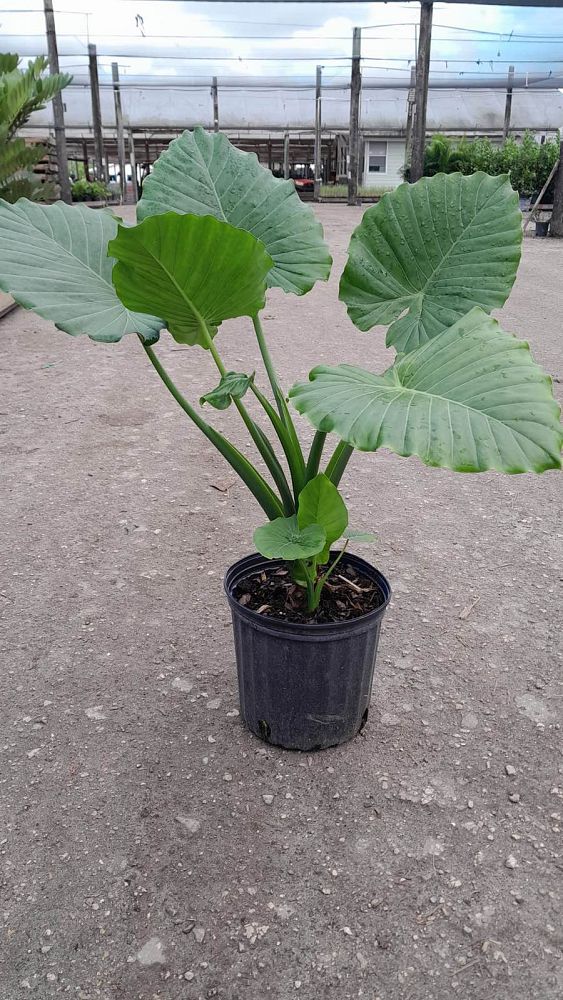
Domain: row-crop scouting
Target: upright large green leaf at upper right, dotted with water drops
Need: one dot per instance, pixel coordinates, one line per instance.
(428, 252)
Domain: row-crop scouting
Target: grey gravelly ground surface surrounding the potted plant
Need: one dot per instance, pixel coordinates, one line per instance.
(151, 847)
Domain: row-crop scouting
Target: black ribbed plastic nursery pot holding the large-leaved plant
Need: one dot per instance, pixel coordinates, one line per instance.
(304, 687)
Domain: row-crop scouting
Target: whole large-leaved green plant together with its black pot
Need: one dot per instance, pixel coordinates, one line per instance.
(429, 261)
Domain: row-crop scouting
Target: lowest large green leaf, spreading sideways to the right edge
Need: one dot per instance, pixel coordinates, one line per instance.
(471, 399)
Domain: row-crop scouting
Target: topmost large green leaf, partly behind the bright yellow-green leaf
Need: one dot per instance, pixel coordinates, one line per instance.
(204, 174)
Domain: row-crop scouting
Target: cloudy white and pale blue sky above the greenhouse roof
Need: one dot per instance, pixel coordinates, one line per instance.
(286, 40)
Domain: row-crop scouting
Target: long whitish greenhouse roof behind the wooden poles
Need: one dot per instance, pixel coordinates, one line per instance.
(165, 108)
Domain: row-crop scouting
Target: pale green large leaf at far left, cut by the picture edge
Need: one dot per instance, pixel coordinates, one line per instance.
(53, 259)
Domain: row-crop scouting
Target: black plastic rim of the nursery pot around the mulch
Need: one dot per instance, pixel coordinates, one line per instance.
(248, 564)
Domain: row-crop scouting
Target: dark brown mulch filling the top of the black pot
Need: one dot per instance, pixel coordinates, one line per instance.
(272, 593)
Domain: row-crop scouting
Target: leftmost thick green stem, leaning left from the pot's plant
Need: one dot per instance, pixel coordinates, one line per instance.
(250, 476)
